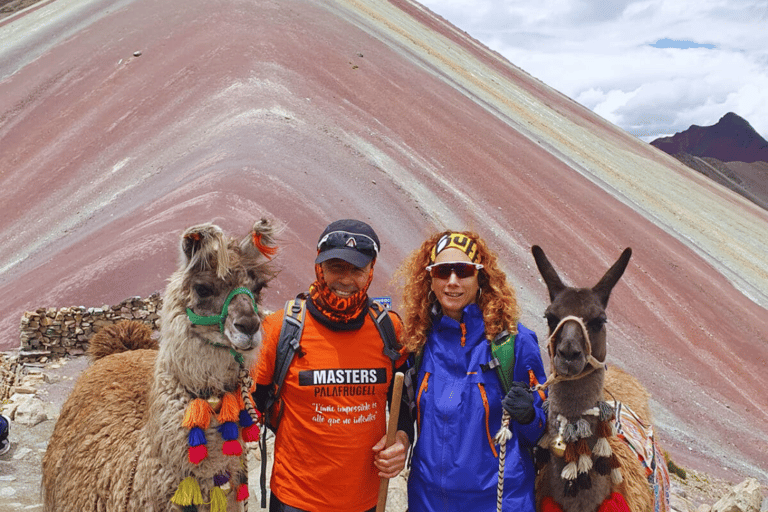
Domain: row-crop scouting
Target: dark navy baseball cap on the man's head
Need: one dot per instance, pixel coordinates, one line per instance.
(350, 240)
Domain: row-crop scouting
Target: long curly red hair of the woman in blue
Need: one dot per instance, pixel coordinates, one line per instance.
(497, 300)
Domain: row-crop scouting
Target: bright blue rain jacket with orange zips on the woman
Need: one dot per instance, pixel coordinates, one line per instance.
(454, 466)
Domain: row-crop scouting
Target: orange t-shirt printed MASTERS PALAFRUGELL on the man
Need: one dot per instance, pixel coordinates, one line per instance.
(334, 400)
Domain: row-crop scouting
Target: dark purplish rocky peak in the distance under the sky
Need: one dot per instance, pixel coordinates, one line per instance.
(732, 139)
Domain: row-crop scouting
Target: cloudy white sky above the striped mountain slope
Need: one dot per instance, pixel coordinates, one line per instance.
(652, 67)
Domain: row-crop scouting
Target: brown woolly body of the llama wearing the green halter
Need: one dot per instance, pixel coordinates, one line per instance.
(104, 417)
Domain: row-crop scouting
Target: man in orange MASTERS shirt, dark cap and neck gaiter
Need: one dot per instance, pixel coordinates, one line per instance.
(330, 445)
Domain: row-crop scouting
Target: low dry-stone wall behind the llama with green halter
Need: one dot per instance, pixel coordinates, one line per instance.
(52, 333)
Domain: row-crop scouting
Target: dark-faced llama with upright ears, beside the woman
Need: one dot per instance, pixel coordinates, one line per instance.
(585, 467)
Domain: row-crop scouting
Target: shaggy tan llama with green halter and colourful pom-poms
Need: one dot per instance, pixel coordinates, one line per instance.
(157, 429)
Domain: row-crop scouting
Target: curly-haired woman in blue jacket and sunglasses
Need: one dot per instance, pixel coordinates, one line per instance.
(456, 303)
